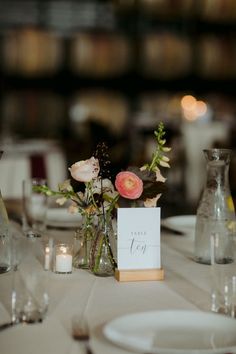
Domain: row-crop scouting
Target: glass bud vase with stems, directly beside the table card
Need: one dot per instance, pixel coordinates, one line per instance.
(102, 255)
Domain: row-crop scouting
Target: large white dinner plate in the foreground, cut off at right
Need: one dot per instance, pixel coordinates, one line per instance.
(174, 332)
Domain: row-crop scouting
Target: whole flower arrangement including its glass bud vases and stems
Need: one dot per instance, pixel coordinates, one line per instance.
(99, 197)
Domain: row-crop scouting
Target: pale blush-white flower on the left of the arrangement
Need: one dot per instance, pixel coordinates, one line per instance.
(85, 170)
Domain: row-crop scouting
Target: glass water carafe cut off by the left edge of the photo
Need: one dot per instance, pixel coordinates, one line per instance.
(5, 244)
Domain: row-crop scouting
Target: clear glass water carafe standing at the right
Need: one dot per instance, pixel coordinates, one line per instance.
(215, 213)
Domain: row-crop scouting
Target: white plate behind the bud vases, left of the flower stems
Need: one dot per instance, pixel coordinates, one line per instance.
(60, 217)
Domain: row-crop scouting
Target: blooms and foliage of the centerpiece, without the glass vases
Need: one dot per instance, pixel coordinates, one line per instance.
(145, 184)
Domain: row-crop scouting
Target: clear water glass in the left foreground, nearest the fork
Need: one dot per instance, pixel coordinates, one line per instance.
(29, 294)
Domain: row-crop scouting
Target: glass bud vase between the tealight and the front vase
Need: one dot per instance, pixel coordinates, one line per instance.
(82, 242)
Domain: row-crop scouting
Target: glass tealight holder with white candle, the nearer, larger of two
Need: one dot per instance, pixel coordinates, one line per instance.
(62, 260)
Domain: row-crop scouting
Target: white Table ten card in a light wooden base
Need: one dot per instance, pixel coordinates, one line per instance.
(138, 244)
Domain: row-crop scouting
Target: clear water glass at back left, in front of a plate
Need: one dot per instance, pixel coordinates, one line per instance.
(34, 208)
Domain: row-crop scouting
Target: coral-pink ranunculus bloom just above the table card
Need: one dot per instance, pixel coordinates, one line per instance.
(129, 185)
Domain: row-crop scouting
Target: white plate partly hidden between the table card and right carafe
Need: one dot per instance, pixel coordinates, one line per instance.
(181, 223)
